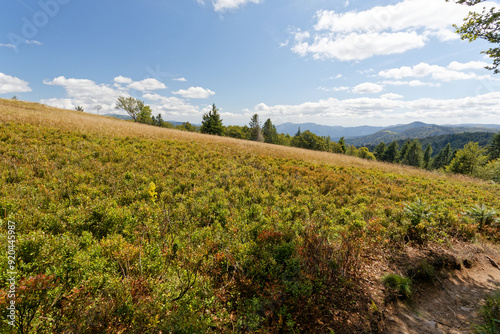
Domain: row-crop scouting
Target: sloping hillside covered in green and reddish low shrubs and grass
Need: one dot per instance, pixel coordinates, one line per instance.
(128, 228)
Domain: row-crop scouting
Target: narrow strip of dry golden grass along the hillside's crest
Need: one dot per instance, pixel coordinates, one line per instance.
(70, 120)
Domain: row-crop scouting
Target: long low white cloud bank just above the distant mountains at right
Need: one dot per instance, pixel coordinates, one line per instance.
(388, 108)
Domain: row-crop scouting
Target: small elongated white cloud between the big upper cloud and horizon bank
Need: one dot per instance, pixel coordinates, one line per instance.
(436, 72)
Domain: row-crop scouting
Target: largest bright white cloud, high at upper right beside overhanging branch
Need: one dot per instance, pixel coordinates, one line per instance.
(381, 30)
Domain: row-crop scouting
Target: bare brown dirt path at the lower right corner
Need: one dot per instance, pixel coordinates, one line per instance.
(450, 304)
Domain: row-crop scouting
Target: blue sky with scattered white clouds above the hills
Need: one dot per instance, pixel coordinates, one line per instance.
(346, 62)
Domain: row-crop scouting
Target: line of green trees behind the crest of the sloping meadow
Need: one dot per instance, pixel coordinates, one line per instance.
(472, 159)
